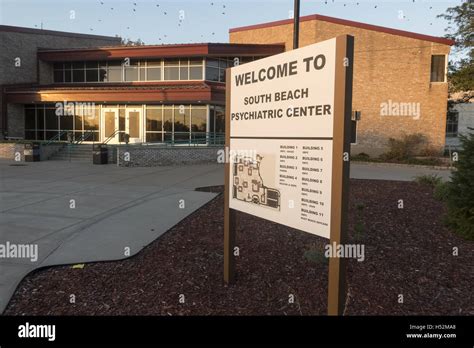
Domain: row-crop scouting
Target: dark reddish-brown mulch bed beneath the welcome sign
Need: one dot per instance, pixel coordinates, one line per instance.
(407, 251)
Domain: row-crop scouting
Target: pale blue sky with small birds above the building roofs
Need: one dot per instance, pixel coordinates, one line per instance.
(188, 21)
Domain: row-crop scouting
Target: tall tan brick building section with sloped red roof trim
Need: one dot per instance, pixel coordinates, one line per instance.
(400, 81)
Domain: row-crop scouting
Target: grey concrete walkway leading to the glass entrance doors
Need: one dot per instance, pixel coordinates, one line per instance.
(80, 212)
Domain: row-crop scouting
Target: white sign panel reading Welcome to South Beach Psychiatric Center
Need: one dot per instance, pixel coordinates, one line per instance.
(281, 130)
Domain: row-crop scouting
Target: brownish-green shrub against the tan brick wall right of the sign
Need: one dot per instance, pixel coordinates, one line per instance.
(404, 148)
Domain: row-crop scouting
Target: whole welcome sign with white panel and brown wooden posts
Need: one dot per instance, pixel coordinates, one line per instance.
(294, 111)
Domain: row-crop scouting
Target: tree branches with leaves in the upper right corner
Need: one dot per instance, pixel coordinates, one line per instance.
(461, 30)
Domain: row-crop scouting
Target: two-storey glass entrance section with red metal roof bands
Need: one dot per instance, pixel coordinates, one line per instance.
(136, 94)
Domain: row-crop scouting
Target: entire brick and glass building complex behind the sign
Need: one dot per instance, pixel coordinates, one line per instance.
(101, 91)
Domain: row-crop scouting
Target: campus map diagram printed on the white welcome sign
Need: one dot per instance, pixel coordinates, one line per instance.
(249, 185)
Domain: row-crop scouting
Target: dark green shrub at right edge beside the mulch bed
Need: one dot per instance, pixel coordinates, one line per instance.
(461, 191)
